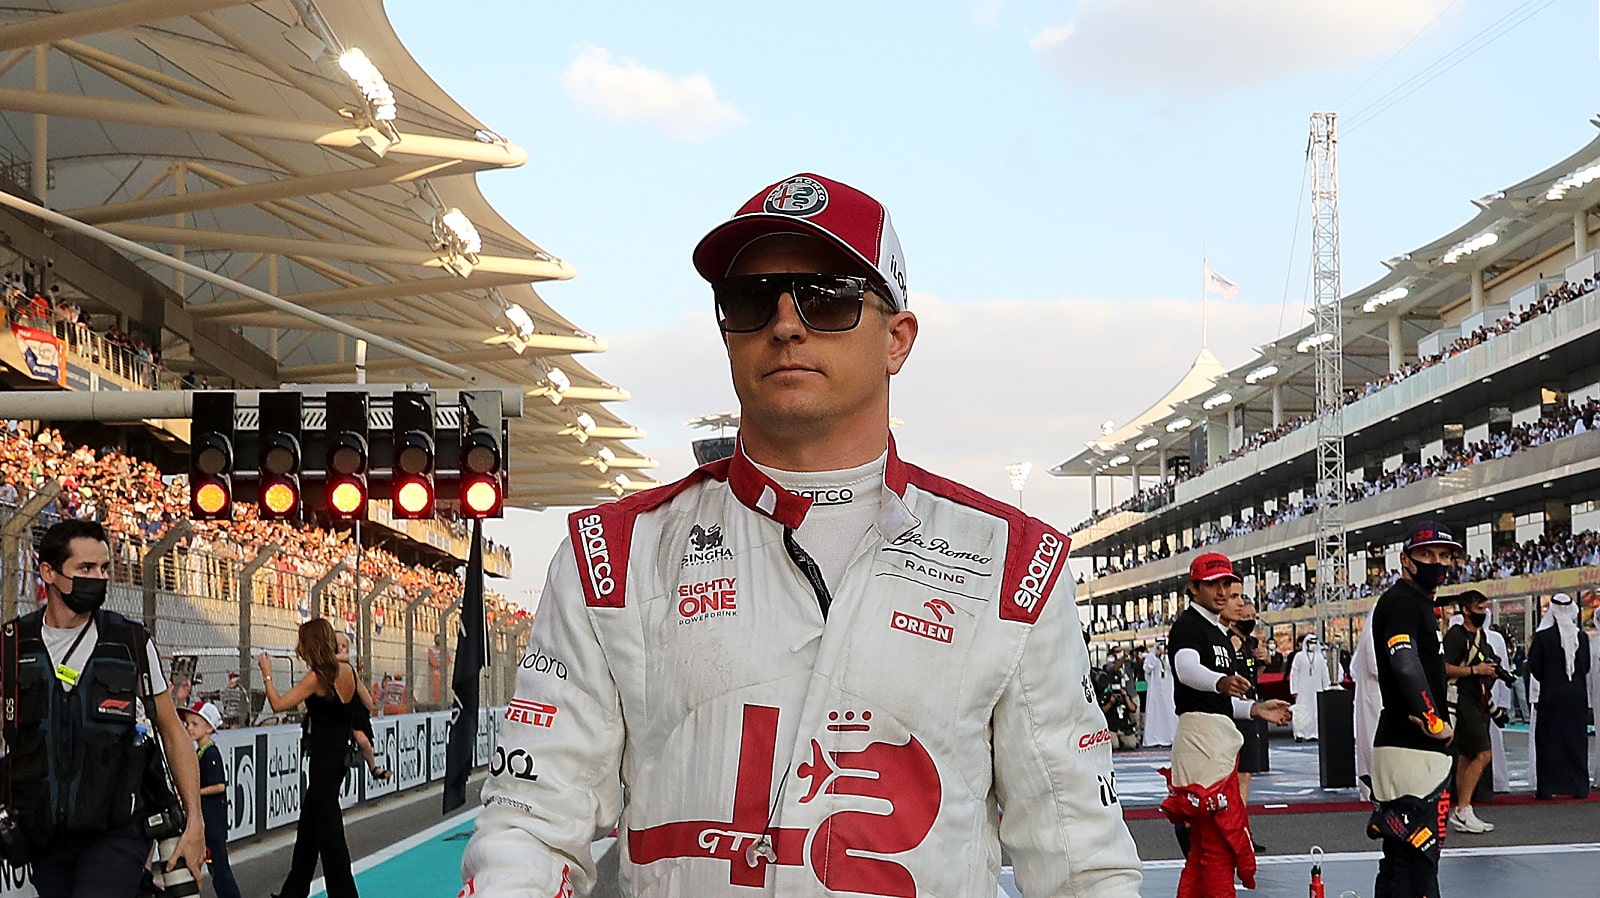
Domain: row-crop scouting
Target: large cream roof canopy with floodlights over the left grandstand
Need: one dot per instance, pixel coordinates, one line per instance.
(241, 138)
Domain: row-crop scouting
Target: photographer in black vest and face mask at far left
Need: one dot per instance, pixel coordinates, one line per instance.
(82, 782)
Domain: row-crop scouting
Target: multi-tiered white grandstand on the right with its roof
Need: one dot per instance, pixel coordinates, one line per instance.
(1473, 390)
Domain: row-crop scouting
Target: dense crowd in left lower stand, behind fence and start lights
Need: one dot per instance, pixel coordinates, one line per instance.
(138, 505)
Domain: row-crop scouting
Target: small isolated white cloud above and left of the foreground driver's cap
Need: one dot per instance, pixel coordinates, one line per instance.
(622, 90)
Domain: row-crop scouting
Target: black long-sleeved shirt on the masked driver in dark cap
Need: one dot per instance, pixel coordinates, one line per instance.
(1406, 612)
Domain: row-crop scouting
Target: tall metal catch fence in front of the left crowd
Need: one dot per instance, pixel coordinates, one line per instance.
(198, 604)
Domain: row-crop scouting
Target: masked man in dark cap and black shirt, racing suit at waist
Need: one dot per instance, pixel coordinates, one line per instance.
(1412, 745)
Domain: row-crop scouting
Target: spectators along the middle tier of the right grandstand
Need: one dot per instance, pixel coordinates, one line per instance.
(1561, 422)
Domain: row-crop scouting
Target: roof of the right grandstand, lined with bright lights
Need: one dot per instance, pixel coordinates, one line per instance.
(1526, 231)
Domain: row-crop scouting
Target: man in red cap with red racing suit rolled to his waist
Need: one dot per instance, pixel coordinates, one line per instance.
(1204, 800)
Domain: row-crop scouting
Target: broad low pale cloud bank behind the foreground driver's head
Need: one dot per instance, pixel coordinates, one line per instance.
(988, 383)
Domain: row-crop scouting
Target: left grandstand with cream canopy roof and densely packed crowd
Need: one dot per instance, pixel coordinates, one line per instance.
(298, 150)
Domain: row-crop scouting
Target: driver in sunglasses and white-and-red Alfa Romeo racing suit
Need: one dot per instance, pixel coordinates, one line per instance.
(810, 668)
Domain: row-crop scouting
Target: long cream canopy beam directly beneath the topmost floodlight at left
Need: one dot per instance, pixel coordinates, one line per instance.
(231, 124)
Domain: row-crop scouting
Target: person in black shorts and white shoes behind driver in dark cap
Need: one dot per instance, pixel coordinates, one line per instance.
(1471, 668)
